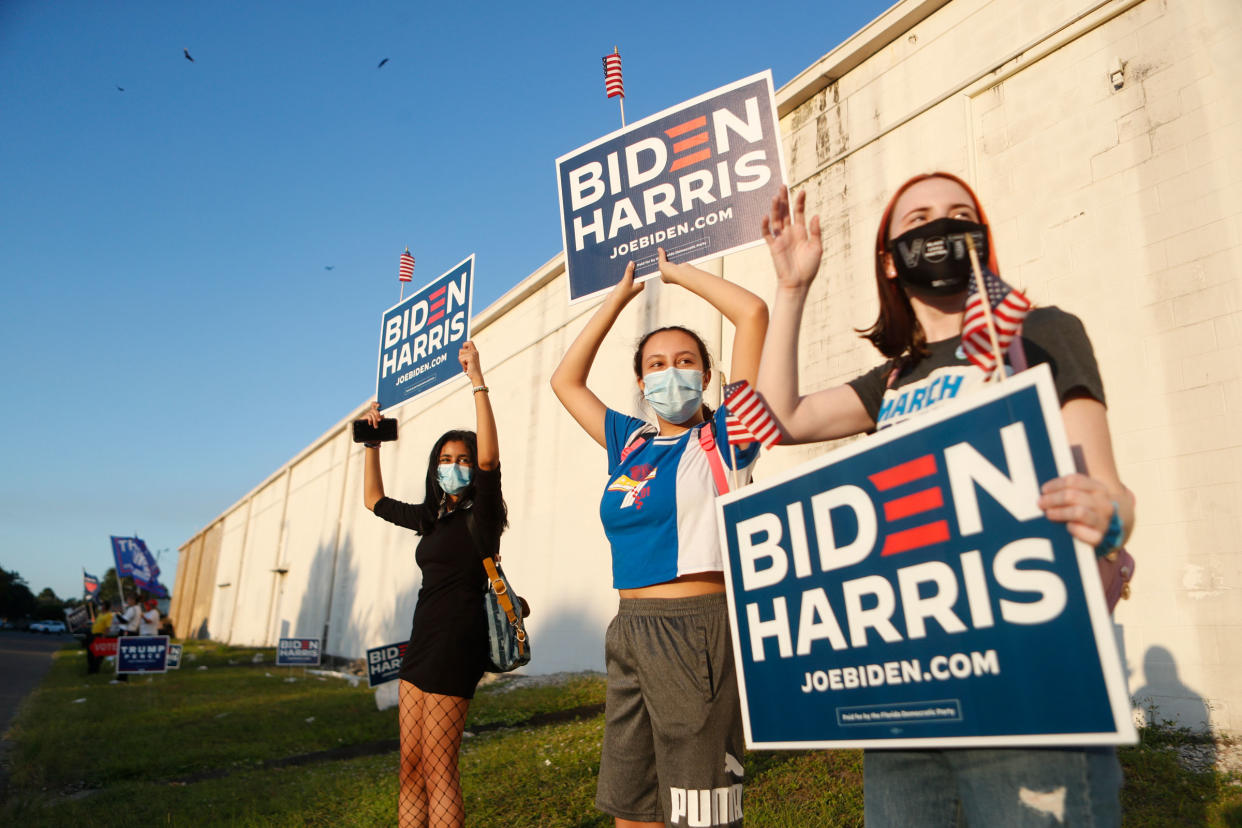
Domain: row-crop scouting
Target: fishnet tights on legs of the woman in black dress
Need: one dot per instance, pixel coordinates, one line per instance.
(432, 737)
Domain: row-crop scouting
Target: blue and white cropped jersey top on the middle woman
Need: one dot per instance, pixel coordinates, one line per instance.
(659, 508)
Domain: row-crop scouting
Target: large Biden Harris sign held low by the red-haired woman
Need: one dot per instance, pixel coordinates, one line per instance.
(907, 592)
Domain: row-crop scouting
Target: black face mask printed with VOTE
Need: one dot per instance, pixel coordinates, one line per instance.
(933, 258)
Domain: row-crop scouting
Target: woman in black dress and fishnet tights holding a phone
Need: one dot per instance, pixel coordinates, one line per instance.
(448, 651)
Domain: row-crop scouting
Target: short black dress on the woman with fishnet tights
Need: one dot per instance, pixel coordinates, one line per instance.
(448, 651)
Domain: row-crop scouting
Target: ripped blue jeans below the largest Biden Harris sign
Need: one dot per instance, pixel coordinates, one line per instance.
(1074, 786)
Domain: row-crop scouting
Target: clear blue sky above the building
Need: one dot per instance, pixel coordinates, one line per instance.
(171, 332)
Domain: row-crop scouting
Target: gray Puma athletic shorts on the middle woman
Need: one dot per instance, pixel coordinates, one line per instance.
(673, 736)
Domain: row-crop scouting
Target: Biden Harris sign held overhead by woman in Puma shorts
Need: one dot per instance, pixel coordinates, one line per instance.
(695, 179)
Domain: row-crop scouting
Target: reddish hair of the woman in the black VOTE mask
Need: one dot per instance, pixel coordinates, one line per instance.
(897, 332)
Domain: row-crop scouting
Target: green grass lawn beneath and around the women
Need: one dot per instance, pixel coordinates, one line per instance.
(211, 747)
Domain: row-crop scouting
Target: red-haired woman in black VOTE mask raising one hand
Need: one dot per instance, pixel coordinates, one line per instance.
(937, 349)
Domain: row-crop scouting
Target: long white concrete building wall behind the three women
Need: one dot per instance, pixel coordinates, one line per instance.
(1123, 207)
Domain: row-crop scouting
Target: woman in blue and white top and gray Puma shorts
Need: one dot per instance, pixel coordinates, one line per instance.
(673, 736)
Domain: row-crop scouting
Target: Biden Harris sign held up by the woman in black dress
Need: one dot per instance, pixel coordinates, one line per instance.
(420, 337)
